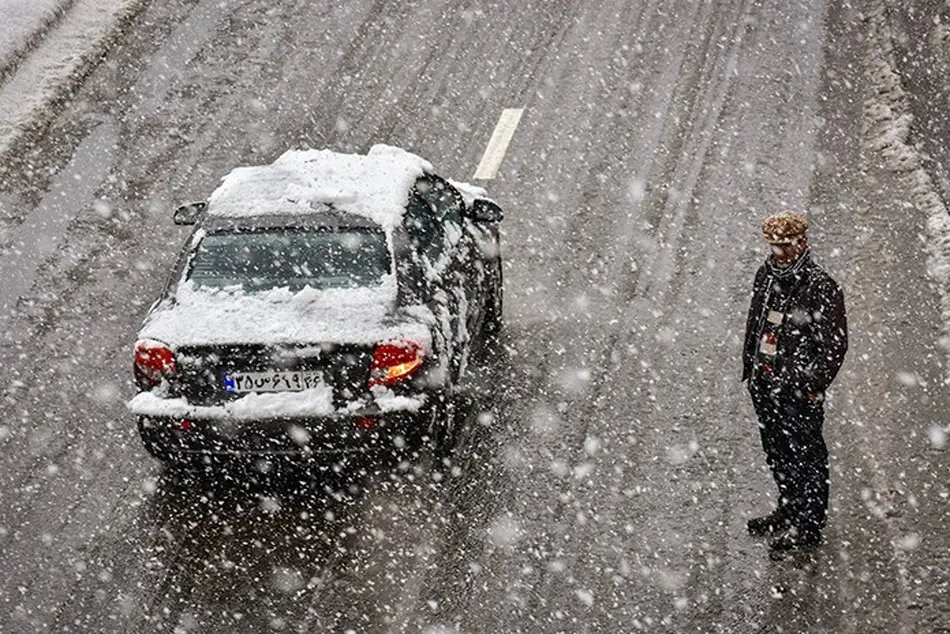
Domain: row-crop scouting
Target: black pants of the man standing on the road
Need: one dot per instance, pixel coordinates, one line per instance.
(795, 450)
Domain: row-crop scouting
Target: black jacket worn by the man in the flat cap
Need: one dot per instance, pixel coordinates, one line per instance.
(812, 338)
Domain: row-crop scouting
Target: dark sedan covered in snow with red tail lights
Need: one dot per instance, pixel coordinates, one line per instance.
(324, 303)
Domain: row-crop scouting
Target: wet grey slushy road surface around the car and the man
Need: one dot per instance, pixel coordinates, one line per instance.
(609, 471)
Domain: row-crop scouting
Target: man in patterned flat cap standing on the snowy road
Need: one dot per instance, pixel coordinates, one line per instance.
(795, 342)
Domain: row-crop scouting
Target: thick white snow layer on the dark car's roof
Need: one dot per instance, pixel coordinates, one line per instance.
(373, 185)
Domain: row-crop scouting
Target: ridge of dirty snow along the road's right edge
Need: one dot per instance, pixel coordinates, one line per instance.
(887, 123)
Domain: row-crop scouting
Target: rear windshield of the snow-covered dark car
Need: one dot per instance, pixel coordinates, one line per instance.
(293, 258)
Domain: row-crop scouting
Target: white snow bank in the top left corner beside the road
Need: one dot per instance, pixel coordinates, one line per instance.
(53, 44)
